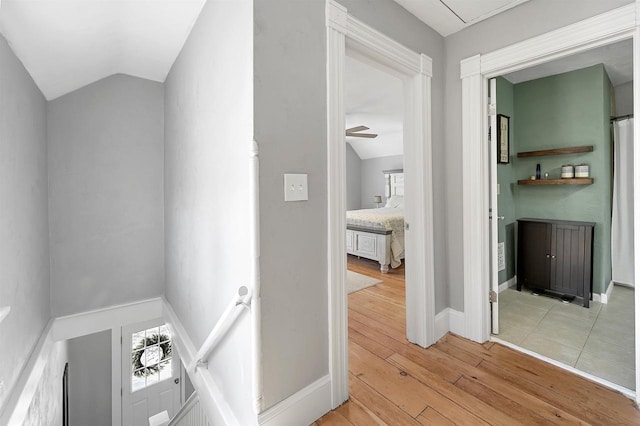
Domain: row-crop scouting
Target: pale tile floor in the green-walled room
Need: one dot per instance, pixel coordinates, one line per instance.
(598, 340)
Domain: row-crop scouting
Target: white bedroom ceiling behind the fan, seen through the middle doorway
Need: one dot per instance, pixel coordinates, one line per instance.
(374, 99)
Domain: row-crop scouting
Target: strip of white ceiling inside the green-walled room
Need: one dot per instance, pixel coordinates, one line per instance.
(617, 59)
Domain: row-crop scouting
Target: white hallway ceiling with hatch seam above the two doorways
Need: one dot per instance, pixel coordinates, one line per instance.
(450, 16)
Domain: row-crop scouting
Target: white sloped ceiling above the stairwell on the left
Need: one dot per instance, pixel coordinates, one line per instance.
(67, 44)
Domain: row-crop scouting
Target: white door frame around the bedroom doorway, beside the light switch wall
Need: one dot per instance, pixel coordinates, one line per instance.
(345, 32)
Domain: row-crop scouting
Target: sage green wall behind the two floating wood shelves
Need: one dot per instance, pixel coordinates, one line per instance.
(569, 109)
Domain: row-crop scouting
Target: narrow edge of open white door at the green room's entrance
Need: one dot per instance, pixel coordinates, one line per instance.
(493, 204)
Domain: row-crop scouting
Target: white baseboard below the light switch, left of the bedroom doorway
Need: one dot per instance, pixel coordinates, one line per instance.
(302, 408)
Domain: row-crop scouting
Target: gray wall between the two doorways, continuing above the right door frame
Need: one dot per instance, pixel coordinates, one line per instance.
(499, 31)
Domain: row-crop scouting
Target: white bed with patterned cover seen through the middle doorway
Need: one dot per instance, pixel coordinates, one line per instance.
(378, 234)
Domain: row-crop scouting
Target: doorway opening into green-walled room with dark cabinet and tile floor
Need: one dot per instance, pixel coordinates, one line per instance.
(556, 281)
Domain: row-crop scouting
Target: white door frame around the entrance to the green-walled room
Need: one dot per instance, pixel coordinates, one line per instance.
(610, 27)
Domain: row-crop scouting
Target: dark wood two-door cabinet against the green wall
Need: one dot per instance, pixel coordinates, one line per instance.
(556, 256)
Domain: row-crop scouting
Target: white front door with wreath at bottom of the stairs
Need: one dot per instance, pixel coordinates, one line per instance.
(150, 373)
